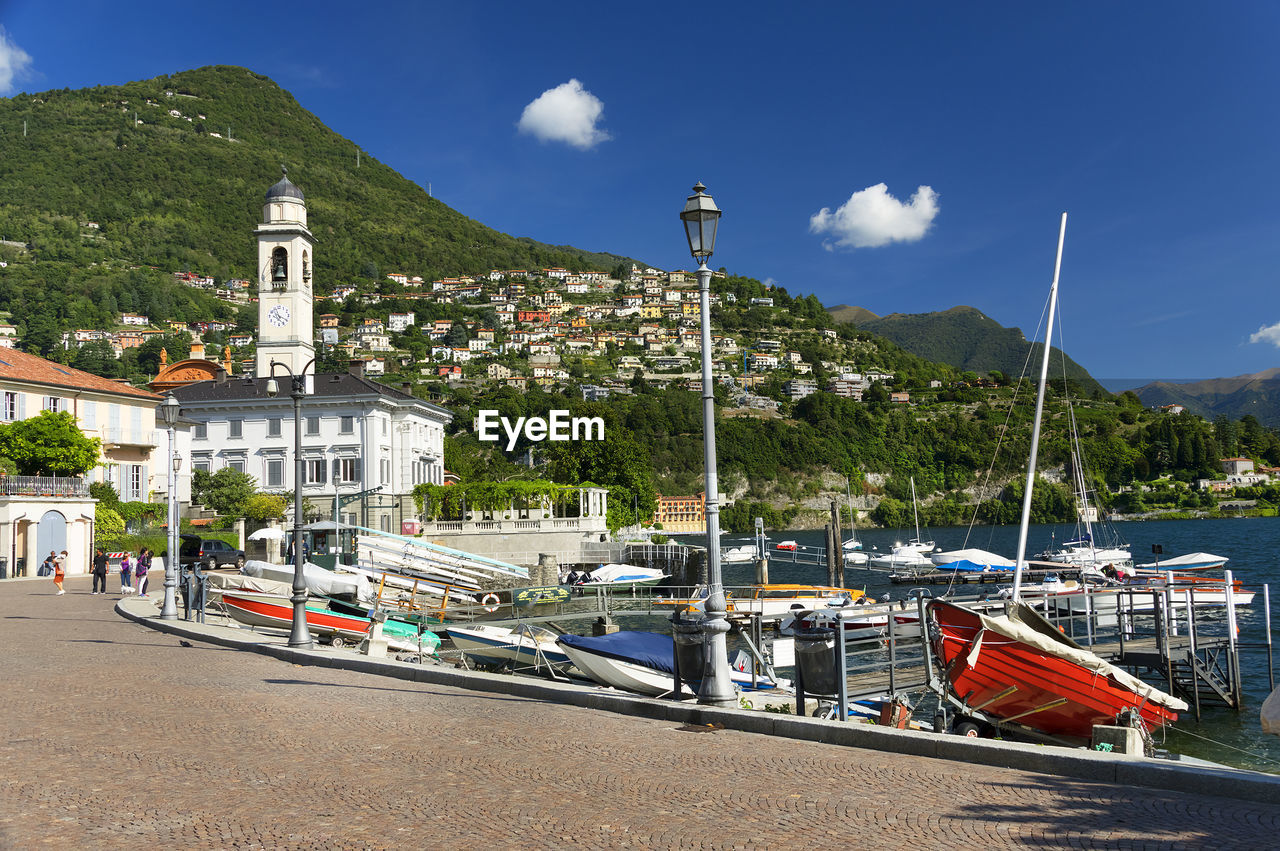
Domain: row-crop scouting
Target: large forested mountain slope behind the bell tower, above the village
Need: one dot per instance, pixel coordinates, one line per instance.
(173, 172)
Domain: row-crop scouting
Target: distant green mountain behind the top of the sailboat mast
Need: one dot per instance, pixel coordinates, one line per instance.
(968, 340)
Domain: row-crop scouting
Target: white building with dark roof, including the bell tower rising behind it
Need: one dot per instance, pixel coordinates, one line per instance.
(358, 436)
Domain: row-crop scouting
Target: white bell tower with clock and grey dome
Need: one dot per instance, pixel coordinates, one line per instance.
(286, 260)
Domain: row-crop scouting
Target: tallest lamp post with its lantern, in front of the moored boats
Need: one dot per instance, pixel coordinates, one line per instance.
(702, 217)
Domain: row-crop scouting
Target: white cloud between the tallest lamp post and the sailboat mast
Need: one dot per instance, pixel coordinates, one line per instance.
(874, 218)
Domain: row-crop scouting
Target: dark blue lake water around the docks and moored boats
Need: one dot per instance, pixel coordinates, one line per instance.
(1251, 545)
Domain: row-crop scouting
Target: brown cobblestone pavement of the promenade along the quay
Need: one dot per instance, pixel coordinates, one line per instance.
(118, 736)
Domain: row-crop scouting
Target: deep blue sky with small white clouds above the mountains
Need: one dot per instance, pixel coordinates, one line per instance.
(903, 158)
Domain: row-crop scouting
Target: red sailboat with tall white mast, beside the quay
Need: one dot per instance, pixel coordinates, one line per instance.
(1017, 669)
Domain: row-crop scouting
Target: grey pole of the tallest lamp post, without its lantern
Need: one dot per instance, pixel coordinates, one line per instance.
(717, 688)
